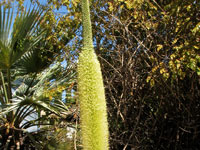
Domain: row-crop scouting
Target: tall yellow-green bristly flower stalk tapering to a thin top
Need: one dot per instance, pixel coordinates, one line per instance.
(94, 125)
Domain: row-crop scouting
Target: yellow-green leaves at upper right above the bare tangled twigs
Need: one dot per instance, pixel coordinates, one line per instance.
(177, 44)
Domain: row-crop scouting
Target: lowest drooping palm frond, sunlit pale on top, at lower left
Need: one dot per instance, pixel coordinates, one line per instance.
(25, 107)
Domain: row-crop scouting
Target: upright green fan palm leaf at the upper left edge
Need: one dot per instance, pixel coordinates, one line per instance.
(15, 36)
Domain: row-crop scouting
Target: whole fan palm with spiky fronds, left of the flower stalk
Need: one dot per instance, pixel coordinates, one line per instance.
(23, 79)
